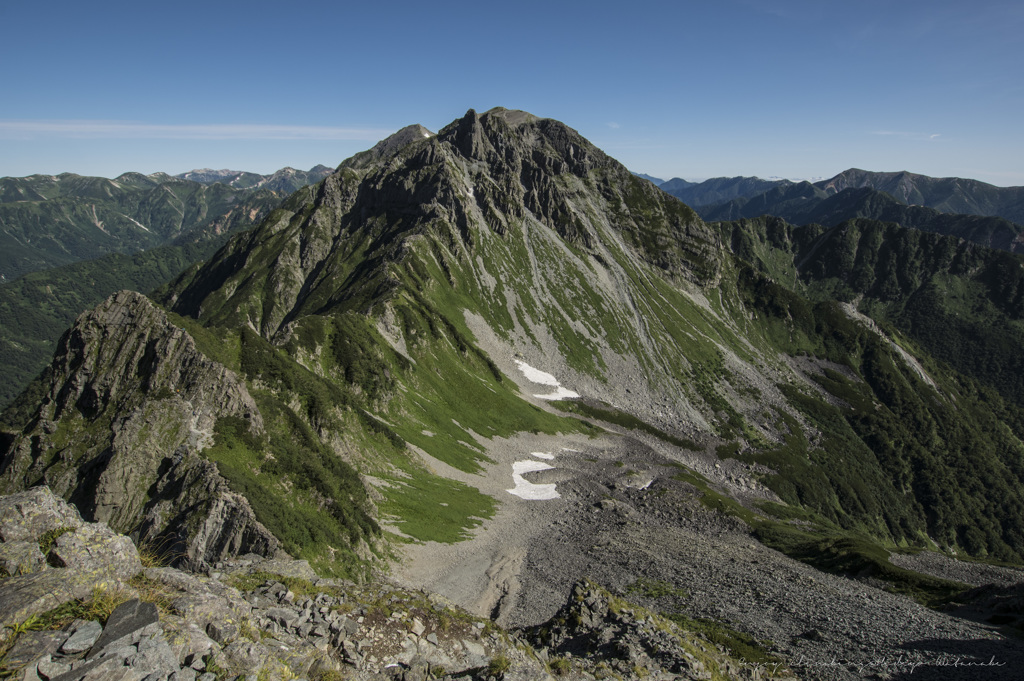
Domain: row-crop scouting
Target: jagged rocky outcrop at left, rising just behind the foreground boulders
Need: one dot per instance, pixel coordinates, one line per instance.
(130, 404)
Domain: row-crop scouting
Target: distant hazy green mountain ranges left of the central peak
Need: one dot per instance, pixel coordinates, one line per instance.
(67, 242)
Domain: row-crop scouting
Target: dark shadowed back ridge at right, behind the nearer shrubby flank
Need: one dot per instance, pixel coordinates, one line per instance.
(960, 303)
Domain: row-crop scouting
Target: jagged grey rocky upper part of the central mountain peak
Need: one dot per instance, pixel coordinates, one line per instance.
(502, 173)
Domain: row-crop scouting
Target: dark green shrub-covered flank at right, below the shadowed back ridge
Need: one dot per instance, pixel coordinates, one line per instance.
(898, 459)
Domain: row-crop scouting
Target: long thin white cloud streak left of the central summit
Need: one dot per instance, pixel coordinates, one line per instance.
(133, 131)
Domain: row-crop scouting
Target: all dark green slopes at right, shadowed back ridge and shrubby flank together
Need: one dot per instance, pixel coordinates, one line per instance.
(943, 430)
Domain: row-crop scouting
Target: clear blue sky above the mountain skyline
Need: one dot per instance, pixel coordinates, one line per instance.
(796, 89)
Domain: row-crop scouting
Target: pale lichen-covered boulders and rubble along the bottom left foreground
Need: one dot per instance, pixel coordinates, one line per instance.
(253, 618)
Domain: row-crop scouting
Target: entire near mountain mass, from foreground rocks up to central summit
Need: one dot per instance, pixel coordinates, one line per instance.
(484, 404)
